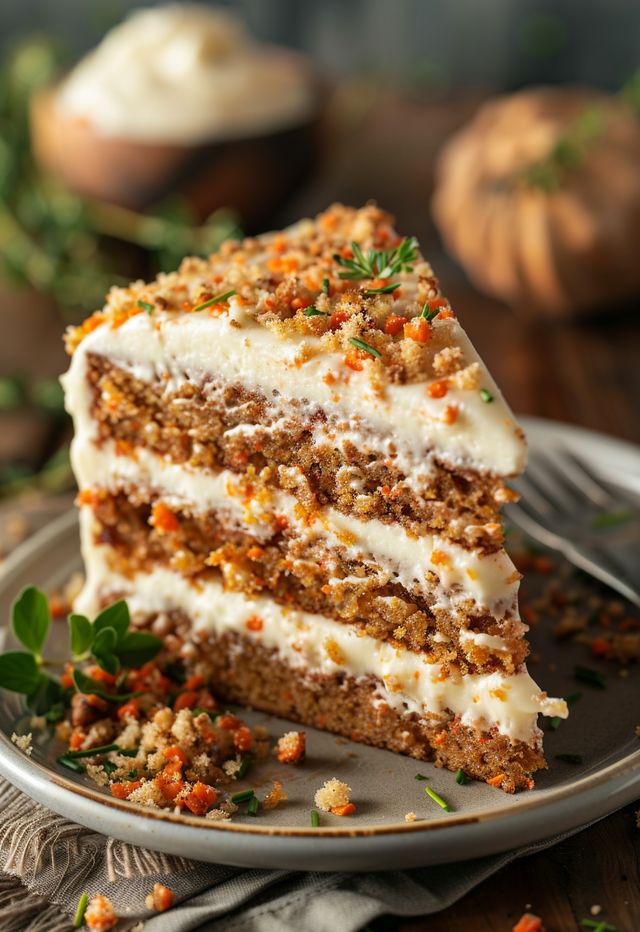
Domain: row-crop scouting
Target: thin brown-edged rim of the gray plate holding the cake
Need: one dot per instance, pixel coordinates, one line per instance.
(622, 778)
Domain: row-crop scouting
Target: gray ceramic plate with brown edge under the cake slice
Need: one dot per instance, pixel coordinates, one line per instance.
(484, 821)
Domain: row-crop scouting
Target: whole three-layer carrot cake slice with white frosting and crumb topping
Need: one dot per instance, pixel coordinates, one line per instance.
(291, 463)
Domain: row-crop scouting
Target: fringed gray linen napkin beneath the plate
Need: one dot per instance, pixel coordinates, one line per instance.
(47, 862)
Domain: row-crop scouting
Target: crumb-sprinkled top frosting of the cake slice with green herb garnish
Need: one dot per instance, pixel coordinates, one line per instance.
(381, 347)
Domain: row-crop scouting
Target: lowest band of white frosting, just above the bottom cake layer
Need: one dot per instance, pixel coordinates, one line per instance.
(315, 644)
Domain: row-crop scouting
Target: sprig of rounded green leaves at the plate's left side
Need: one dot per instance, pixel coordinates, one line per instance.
(107, 641)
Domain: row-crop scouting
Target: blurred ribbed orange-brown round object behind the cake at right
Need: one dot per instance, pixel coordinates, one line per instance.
(538, 198)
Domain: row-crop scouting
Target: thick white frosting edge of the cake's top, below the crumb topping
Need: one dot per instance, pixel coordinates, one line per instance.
(235, 348)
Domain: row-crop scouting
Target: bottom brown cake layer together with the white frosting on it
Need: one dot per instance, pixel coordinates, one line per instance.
(282, 660)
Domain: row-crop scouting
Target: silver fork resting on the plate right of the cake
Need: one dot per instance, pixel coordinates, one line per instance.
(566, 507)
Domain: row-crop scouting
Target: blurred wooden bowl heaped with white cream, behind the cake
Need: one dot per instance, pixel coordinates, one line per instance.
(178, 101)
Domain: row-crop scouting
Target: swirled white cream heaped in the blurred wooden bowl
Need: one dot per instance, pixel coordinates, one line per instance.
(186, 74)
